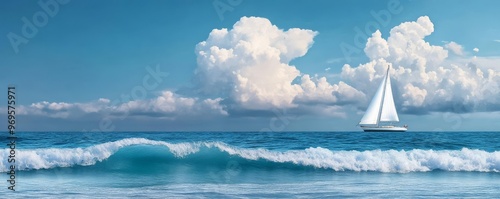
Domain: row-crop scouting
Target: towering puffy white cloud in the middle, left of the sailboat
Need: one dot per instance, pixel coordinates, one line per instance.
(251, 63)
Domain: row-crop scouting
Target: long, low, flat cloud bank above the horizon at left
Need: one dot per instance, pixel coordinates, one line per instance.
(167, 104)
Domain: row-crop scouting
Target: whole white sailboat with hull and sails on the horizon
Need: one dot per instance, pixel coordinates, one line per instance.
(381, 113)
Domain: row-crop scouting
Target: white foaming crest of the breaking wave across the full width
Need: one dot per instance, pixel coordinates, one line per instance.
(397, 161)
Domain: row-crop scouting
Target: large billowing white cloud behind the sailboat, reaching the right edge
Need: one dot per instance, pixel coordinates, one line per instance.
(425, 77)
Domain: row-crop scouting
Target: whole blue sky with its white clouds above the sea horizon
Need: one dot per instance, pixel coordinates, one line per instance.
(240, 65)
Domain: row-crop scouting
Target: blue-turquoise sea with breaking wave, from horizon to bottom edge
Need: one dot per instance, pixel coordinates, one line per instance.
(255, 165)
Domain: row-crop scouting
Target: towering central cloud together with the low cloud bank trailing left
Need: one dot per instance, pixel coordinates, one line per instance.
(247, 68)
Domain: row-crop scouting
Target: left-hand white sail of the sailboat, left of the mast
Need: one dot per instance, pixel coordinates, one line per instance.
(372, 112)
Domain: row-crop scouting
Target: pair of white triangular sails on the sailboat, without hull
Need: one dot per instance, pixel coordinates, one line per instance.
(381, 108)
